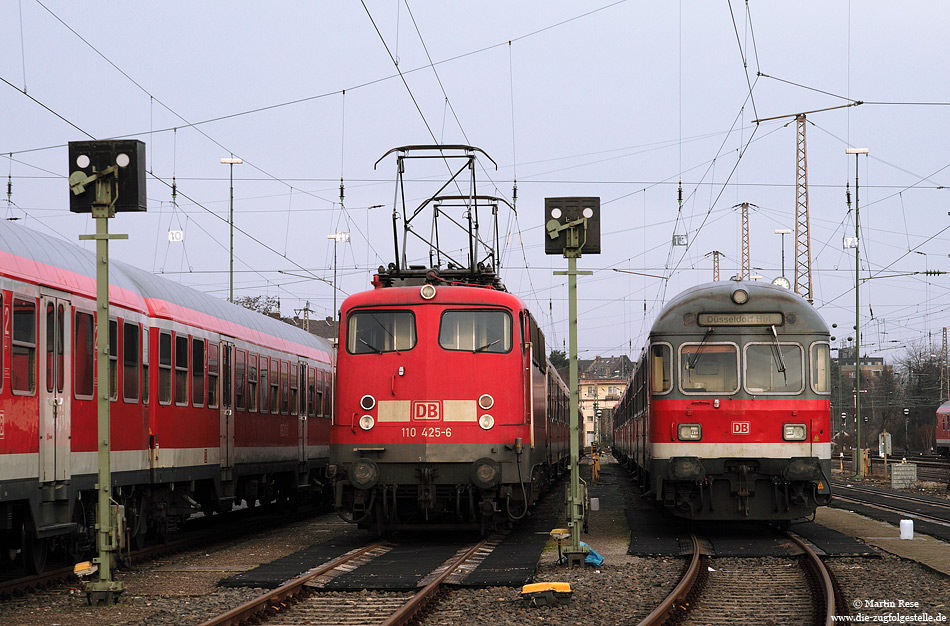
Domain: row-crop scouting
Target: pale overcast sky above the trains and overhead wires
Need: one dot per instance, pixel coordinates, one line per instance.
(617, 100)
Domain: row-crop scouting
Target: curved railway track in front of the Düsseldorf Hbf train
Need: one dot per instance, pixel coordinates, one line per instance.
(722, 591)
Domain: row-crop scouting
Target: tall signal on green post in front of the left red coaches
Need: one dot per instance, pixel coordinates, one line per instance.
(105, 177)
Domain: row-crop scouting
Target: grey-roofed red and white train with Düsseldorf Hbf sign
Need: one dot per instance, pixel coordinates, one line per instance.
(727, 416)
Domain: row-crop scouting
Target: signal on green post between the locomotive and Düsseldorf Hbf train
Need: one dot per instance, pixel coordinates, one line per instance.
(572, 226)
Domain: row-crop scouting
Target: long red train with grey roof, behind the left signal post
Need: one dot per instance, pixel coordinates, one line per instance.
(211, 403)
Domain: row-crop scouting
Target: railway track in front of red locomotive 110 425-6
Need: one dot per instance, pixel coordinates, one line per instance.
(298, 601)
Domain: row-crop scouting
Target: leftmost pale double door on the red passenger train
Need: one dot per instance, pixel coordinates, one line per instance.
(54, 383)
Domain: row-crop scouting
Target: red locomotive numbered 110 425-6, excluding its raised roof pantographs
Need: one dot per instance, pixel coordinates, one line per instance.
(447, 410)
